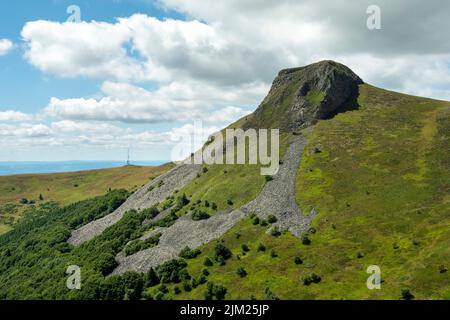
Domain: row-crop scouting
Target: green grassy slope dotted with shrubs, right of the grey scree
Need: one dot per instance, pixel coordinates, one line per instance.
(381, 180)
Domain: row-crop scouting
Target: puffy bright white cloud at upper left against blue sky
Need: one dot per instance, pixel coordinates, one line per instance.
(94, 49)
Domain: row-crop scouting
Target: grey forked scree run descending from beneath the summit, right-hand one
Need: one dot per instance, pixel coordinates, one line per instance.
(277, 197)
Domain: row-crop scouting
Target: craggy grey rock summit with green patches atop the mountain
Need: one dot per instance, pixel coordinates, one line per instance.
(300, 96)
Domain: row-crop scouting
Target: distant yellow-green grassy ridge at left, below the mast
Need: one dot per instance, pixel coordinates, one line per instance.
(60, 187)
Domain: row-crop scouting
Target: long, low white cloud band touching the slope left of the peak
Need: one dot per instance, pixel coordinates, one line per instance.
(174, 102)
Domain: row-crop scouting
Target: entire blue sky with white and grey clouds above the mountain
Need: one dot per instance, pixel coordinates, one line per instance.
(139, 74)
